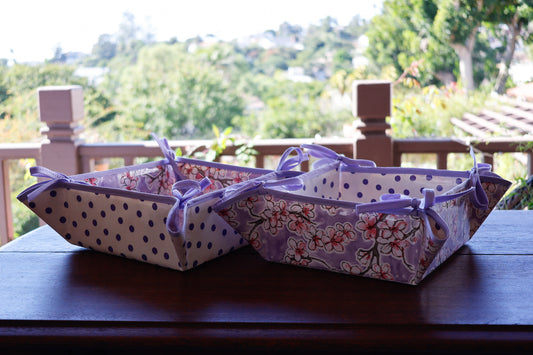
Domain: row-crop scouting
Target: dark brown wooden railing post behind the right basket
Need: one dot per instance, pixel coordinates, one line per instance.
(372, 102)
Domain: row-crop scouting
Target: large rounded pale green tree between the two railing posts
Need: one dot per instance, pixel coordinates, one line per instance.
(173, 93)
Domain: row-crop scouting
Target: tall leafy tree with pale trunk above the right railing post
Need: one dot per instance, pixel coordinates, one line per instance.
(450, 36)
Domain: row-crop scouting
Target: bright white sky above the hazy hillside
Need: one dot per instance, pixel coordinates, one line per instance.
(32, 29)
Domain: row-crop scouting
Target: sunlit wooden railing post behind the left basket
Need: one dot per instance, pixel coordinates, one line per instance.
(61, 108)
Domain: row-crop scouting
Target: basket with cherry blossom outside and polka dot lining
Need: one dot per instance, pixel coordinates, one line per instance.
(349, 216)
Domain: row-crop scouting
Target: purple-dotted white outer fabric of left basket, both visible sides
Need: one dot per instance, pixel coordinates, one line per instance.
(134, 231)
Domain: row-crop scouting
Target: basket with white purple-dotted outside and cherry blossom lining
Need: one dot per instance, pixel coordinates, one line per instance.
(158, 212)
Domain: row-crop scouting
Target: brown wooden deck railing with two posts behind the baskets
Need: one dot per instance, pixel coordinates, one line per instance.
(61, 108)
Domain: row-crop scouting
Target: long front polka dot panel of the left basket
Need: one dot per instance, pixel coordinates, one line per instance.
(96, 230)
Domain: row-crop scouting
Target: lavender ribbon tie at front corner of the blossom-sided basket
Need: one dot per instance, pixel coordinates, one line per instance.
(401, 204)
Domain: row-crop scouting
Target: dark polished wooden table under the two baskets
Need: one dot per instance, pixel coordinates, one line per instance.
(56, 296)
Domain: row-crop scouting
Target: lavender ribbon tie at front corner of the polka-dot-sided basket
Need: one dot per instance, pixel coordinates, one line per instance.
(190, 190)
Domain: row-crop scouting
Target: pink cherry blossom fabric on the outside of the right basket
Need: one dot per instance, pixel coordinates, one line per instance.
(290, 229)
